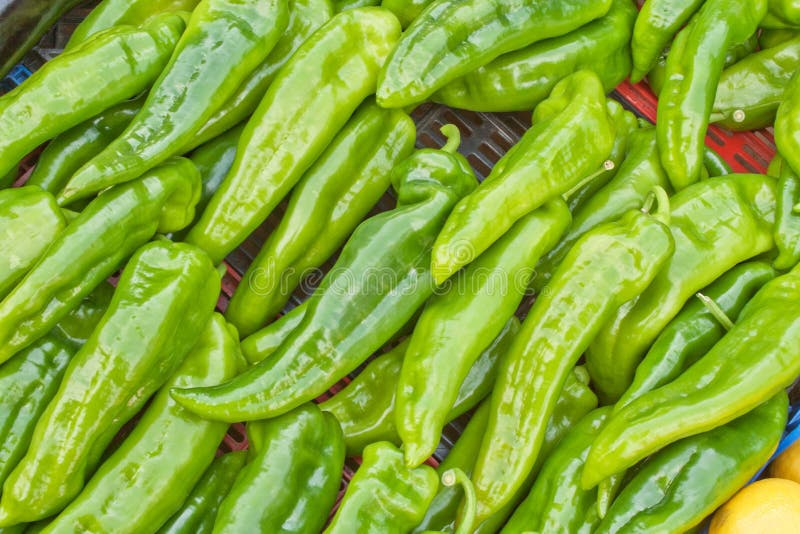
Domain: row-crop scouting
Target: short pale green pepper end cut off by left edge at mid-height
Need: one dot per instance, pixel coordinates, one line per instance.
(29, 221)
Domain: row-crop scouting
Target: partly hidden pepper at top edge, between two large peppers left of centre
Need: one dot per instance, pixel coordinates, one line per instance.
(305, 17)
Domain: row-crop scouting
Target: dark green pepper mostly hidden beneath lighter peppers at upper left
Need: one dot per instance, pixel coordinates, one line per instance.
(70, 150)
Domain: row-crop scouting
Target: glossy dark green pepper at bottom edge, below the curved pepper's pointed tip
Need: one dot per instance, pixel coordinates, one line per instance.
(303, 449)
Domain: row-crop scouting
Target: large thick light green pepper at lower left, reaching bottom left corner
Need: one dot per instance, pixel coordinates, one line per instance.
(164, 299)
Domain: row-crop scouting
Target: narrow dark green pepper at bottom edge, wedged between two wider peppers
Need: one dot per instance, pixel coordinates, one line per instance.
(199, 511)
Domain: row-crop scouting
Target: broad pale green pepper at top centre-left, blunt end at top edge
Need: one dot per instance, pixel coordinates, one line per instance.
(309, 101)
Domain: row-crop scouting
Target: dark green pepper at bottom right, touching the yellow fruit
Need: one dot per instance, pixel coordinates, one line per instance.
(685, 482)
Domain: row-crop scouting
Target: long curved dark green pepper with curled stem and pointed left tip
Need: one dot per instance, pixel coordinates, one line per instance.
(353, 312)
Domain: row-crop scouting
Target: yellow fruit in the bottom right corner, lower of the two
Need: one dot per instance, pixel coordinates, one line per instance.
(769, 506)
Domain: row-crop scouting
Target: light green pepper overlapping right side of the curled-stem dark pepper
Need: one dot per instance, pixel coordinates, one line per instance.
(542, 165)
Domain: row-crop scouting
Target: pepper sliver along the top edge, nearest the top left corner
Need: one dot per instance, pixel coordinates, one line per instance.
(111, 13)
